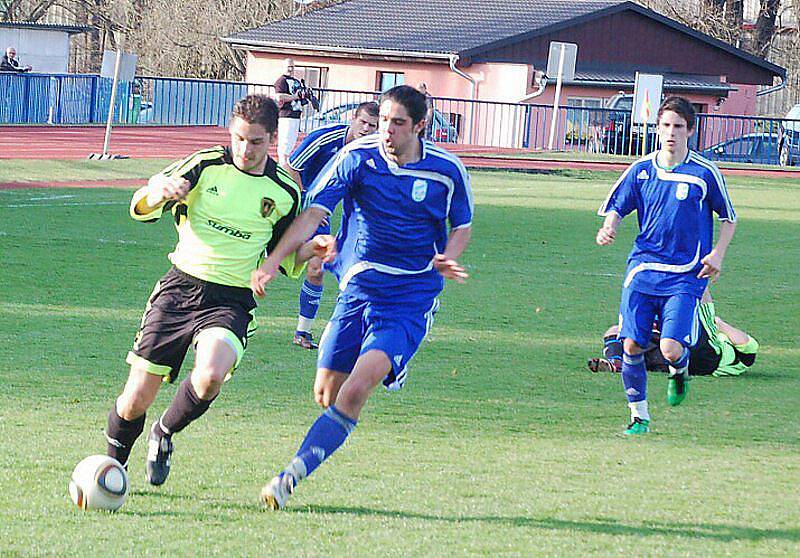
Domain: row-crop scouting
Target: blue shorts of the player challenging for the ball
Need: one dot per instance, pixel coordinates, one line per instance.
(358, 326)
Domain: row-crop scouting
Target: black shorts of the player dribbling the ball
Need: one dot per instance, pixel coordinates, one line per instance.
(182, 306)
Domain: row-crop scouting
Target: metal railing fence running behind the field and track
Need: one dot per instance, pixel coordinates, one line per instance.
(84, 99)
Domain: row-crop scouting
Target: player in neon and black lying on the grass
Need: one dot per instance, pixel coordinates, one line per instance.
(722, 349)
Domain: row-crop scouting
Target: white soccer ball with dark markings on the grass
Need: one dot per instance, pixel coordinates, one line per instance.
(99, 482)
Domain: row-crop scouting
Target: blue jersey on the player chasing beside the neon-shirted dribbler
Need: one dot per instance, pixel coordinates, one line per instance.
(394, 219)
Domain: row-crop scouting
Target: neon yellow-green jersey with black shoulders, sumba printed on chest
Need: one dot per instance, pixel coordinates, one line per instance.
(230, 219)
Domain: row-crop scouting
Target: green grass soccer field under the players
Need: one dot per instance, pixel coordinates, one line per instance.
(502, 443)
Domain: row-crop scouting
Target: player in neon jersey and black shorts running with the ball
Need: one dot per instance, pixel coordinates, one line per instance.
(229, 205)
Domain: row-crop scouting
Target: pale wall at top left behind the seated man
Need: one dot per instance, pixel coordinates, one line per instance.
(47, 51)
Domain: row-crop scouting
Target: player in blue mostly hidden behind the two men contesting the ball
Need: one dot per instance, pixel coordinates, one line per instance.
(307, 162)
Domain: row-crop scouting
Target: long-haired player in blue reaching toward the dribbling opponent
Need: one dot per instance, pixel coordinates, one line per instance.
(394, 253)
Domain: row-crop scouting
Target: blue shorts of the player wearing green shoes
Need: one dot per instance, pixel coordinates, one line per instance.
(677, 316)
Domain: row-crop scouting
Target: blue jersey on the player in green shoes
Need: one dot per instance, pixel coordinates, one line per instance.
(676, 227)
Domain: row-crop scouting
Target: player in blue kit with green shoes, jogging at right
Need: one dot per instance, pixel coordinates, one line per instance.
(674, 192)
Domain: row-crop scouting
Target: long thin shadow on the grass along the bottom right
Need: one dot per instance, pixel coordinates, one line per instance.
(606, 526)
